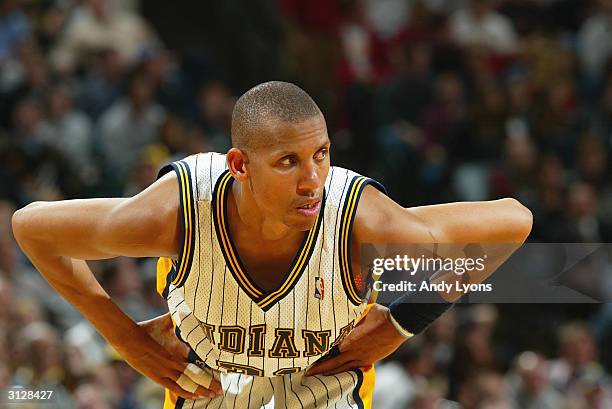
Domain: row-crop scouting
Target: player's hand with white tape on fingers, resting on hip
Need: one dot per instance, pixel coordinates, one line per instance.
(166, 362)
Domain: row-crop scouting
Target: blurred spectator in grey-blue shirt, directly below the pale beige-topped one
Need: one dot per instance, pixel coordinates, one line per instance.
(128, 126)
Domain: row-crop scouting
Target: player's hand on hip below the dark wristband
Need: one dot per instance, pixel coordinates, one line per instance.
(372, 339)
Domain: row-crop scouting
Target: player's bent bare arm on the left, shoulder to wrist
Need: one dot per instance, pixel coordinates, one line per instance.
(59, 236)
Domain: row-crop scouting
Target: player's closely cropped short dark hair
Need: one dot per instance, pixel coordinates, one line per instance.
(273, 100)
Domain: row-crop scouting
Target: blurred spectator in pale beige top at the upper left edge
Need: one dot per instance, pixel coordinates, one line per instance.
(98, 26)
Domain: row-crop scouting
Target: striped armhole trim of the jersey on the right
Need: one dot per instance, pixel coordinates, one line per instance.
(349, 210)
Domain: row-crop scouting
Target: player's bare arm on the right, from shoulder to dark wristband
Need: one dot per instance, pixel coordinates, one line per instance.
(498, 227)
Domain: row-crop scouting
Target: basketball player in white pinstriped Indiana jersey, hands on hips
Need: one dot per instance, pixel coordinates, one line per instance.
(259, 263)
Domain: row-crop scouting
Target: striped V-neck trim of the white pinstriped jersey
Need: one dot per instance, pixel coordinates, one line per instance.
(264, 299)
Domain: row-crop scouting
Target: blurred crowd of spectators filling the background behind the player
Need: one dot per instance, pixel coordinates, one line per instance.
(440, 100)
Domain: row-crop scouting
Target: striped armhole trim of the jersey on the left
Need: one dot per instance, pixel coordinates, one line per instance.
(187, 223)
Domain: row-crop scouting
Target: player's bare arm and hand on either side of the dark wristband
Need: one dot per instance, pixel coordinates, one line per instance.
(499, 227)
